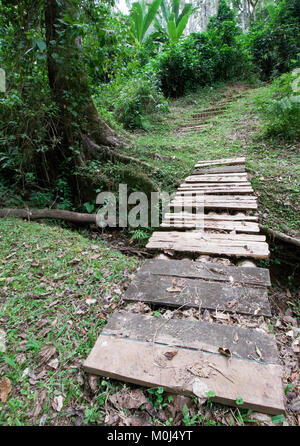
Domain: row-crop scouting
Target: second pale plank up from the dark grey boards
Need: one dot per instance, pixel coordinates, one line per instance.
(183, 222)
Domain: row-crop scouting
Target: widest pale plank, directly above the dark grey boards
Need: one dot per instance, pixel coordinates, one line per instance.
(190, 242)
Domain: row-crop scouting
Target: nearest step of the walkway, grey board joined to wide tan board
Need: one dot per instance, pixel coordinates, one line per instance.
(132, 348)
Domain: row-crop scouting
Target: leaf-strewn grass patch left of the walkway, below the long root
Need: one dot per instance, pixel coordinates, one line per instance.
(58, 288)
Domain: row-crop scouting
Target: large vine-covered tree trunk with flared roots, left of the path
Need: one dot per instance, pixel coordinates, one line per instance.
(79, 121)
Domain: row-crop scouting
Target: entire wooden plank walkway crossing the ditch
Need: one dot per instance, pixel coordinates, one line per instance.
(196, 356)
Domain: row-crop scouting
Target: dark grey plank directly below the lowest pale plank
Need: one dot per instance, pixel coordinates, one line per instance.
(209, 271)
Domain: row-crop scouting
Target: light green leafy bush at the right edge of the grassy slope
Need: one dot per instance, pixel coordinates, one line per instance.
(280, 107)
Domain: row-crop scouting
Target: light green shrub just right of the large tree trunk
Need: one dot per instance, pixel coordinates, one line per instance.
(132, 100)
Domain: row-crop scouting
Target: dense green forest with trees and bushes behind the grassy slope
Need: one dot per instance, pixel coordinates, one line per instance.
(81, 74)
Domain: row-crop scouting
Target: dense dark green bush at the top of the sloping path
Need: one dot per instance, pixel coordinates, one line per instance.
(203, 58)
